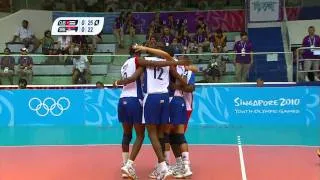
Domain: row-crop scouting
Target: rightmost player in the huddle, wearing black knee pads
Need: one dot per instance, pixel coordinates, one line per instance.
(178, 115)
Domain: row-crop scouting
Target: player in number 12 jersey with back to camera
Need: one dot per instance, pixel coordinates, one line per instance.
(156, 109)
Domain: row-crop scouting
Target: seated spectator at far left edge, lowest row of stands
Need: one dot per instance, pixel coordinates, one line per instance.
(7, 66)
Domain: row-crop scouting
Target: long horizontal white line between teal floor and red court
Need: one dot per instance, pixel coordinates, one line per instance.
(98, 145)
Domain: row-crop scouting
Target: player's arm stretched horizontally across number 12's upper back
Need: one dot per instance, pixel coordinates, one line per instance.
(142, 62)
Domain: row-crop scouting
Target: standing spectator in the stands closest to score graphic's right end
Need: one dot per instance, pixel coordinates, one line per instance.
(118, 29)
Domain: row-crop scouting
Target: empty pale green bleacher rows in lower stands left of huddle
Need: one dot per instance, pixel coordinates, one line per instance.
(104, 68)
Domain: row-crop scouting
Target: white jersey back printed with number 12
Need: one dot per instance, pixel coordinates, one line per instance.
(156, 79)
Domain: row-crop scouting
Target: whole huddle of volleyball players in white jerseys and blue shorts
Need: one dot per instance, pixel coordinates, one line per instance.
(156, 95)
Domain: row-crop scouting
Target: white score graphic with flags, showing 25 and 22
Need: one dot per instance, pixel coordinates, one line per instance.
(77, 26)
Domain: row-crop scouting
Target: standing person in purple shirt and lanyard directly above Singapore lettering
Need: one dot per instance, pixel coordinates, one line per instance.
(243, 59)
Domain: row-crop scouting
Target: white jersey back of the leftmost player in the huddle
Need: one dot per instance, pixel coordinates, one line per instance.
(132, 89)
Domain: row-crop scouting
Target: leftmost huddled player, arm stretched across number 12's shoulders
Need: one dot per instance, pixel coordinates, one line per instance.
(129, 106)
